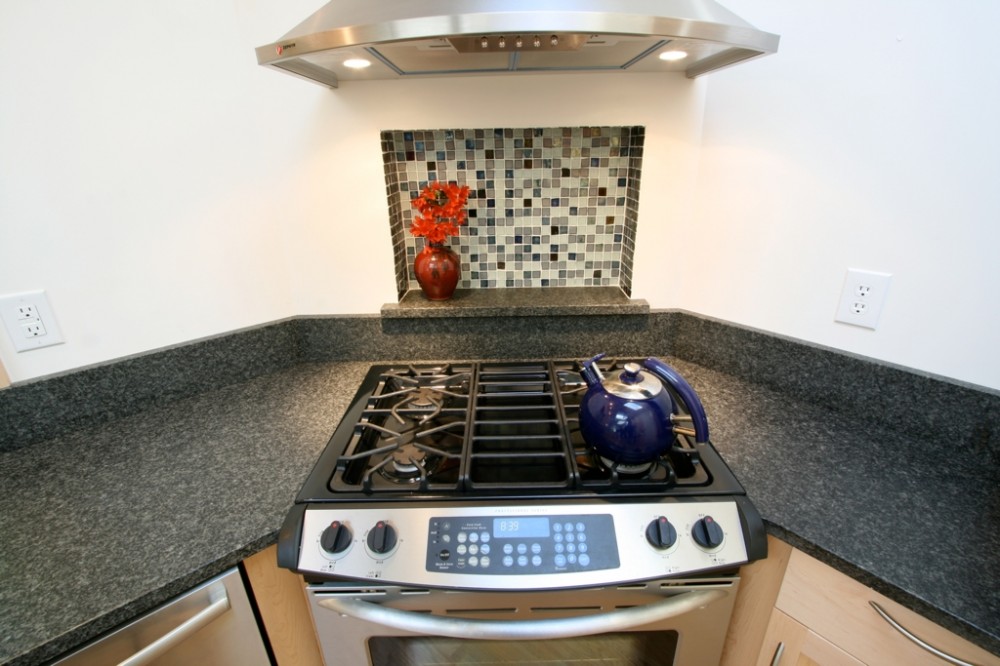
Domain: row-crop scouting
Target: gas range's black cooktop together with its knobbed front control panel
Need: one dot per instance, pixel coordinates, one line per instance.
(476, 476)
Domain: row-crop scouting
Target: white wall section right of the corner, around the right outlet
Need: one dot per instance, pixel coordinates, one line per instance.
(870, 141)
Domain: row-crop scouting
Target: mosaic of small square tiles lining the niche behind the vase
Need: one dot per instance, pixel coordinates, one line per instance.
(548, 207)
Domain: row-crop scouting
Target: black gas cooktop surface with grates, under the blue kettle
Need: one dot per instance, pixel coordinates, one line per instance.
(487, 430)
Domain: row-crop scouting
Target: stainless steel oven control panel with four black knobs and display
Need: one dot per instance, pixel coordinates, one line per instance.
(520, 546)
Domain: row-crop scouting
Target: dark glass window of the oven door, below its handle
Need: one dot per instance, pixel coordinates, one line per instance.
(644, 648)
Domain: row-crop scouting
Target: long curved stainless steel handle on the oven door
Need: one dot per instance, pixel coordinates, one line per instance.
(563, 627)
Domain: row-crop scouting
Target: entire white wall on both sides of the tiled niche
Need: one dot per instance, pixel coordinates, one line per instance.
(162, 187)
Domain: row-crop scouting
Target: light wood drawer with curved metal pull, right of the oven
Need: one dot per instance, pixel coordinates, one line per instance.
(837, 608)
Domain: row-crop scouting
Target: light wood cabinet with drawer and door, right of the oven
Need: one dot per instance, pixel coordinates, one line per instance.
(824, 617)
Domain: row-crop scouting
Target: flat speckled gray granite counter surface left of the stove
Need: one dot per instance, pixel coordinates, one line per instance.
(107, 522)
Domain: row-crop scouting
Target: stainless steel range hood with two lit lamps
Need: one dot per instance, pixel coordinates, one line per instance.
(425, 38)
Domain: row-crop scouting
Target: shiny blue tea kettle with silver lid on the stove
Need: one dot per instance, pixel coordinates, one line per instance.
(629, 418)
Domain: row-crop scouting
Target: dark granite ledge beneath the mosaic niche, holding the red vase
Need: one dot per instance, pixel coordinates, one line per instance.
(519, 302)
